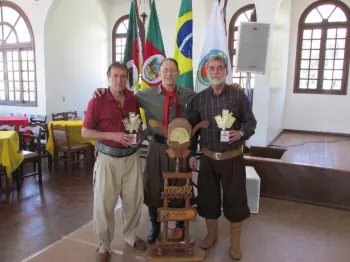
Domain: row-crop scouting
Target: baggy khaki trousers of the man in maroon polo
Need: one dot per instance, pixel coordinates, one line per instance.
(114, 177)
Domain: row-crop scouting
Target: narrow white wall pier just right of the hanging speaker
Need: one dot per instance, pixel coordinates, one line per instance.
(279, 69)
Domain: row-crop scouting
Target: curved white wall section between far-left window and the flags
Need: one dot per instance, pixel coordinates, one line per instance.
(76, 57)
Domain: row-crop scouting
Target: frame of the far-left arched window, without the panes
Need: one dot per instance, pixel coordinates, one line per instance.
(28, 46)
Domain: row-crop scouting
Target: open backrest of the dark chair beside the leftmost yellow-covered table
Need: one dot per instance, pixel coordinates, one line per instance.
(29, 138)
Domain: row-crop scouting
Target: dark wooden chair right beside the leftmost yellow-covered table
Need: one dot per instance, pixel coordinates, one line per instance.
(30, 150)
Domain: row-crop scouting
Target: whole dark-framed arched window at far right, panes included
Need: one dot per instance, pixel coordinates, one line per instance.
(322, 60)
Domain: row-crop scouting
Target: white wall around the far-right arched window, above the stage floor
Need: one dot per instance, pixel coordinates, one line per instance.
(324, 113)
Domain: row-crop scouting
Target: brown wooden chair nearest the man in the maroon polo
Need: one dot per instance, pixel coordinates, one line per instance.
(62, 144)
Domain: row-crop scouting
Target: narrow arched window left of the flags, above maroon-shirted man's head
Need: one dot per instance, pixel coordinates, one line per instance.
(119, 38)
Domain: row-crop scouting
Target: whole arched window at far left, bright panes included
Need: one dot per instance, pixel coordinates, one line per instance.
(17, 57)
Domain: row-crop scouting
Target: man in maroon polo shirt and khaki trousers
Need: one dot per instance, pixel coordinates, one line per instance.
(117, 171)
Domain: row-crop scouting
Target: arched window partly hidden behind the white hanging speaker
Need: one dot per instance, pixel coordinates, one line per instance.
(245, 14)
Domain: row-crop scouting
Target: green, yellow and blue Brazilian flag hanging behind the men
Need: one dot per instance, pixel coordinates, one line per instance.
(183, 44)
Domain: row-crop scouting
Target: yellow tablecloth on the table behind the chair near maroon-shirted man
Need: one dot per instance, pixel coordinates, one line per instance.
(74, 133)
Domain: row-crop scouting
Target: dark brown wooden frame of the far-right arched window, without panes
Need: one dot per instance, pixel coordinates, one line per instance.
(324, 25)
